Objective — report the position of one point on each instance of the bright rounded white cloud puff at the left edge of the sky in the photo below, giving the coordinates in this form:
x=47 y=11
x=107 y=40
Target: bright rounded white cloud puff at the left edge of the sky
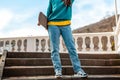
x=5 y=17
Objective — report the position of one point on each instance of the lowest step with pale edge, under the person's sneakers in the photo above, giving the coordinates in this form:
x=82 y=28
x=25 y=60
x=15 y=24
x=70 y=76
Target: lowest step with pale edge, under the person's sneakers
x=66 y=77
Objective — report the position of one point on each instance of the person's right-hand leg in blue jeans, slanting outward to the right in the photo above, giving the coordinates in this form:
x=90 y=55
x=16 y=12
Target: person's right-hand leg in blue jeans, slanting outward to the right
x=69 y=42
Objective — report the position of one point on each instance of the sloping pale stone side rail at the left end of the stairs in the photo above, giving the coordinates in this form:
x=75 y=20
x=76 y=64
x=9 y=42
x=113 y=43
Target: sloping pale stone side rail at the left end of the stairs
x=2 y=63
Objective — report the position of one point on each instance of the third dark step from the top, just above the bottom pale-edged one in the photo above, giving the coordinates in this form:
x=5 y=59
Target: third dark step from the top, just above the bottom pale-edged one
x=48 y=70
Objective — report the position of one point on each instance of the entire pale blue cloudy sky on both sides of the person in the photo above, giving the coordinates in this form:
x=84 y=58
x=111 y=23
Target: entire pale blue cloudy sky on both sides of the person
x=18 y=18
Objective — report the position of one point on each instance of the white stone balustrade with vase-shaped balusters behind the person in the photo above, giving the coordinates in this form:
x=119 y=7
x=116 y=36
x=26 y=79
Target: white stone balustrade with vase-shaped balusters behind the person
x=85 y=43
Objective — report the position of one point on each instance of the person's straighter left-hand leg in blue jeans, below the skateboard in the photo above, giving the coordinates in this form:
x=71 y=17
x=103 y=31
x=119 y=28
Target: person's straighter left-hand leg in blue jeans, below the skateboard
x=54 y=35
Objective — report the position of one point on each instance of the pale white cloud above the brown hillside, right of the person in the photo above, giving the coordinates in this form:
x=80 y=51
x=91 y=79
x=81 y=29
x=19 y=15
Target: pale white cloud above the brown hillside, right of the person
x=84 y=17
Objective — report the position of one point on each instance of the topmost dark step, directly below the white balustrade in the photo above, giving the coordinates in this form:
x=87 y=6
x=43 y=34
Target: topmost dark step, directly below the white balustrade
x=63 y=55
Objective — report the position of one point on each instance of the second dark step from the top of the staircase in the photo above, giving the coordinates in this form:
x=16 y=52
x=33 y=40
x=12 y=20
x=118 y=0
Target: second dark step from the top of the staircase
x=65 y=61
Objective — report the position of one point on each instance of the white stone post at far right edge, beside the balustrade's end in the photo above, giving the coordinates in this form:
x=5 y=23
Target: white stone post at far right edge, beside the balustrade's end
x=117 y=34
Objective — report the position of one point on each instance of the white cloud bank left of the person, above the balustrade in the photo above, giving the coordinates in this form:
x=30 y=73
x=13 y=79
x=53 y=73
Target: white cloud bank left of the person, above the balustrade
x=19 y=26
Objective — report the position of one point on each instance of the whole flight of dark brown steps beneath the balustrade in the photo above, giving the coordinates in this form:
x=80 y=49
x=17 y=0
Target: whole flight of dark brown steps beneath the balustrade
x=38 y=66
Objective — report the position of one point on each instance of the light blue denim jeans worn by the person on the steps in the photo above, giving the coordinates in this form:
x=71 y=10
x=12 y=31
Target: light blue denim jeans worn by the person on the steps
x=54 y=34
